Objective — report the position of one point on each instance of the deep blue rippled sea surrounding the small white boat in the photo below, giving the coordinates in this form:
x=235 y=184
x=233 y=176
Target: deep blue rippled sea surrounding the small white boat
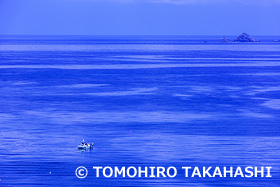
x=143 y=101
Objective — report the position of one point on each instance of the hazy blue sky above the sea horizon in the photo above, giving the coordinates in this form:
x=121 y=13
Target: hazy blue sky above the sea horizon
x=140 y=17
